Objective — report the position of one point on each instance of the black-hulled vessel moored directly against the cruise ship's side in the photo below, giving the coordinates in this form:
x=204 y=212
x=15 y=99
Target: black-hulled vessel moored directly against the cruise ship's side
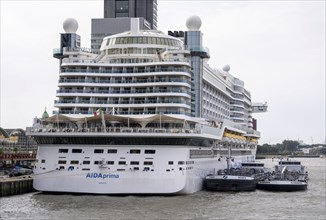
x=225 y=181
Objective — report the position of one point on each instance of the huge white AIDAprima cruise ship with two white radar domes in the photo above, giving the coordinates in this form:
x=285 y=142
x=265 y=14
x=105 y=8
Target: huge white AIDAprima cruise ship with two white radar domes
x=145 y=114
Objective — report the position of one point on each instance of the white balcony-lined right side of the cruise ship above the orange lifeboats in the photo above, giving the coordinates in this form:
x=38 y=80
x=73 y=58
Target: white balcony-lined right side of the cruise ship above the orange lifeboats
x=233 y=103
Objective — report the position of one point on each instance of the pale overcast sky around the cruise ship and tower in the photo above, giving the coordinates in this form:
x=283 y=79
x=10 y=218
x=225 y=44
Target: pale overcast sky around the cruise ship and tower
x=276 y=47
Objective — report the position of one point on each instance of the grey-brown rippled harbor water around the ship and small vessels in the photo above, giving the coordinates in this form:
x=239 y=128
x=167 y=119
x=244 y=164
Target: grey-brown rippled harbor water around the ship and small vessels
x=309 y=204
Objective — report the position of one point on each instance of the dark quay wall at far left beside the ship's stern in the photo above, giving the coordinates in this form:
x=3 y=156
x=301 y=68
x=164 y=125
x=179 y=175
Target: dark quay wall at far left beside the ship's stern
x=16 y=185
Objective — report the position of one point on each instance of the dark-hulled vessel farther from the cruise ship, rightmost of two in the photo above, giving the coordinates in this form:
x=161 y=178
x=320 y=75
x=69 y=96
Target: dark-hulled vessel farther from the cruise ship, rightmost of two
x=288 y=176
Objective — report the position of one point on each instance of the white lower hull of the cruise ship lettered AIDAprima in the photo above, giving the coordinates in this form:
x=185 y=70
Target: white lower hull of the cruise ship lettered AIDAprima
x=184 y=176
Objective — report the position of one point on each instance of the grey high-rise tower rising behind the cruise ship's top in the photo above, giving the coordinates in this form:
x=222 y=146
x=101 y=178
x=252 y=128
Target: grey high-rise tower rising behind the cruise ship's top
x=117 y=14
